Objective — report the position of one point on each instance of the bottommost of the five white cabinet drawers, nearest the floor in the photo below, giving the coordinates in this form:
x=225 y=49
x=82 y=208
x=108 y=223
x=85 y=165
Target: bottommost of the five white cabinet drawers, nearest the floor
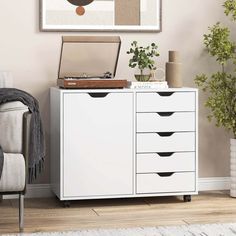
x=175 y=182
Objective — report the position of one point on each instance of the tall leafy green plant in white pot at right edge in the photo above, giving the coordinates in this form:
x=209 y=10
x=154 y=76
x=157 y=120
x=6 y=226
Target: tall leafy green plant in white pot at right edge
x=221 y=85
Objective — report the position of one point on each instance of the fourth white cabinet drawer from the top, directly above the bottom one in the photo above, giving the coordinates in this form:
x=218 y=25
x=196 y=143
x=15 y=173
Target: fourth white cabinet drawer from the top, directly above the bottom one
x=165 y=162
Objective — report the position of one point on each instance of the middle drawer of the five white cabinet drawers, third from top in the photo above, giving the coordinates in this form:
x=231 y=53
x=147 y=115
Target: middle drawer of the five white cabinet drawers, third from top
x=166 y=142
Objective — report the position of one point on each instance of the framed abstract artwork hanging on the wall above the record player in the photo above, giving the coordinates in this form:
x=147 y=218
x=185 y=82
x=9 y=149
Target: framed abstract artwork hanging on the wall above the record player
x=100 y=15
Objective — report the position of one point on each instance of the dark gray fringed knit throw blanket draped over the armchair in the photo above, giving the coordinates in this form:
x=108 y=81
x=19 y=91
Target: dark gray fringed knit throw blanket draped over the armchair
x=36 y=145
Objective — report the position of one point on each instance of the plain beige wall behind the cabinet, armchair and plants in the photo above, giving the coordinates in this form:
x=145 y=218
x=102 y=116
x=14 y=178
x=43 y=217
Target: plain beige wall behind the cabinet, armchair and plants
x=33 y=58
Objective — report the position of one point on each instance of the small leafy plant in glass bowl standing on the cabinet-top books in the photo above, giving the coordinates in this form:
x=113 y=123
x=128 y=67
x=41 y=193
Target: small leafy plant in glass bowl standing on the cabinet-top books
x=143 y=58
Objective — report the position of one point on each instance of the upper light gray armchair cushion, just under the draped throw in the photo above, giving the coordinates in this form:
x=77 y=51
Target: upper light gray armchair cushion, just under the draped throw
x=11 y=126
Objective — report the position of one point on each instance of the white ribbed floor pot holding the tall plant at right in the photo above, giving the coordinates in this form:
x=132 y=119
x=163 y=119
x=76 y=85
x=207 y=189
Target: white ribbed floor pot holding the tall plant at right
x=233 y=167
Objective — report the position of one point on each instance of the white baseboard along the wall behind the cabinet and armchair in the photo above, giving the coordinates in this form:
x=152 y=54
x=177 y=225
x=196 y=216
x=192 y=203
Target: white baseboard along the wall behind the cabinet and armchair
x=204 y=184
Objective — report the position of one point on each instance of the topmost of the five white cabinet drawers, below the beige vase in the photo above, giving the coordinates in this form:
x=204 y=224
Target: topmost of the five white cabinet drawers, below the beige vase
x=166 y=101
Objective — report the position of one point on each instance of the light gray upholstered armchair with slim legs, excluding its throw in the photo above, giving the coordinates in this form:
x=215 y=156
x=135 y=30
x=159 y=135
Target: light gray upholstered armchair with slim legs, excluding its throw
x=14 y=139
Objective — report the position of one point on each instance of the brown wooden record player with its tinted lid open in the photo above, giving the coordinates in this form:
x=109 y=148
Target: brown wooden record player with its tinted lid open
x=89 y=62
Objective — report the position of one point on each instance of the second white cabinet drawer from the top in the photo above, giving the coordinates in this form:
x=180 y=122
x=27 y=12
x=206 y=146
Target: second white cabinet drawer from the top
x=165 y=121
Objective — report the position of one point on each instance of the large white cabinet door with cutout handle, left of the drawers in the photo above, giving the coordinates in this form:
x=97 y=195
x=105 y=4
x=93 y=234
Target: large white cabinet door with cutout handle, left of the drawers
x=98 y=144
